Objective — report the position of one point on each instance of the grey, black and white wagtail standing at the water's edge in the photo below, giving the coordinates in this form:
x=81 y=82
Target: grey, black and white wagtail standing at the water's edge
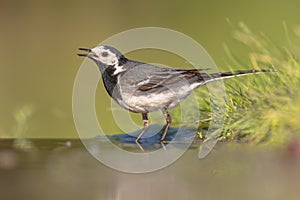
x=142 y=88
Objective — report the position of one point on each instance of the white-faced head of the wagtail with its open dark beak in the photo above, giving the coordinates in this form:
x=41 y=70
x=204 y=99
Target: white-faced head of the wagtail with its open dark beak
x=105 y=55
